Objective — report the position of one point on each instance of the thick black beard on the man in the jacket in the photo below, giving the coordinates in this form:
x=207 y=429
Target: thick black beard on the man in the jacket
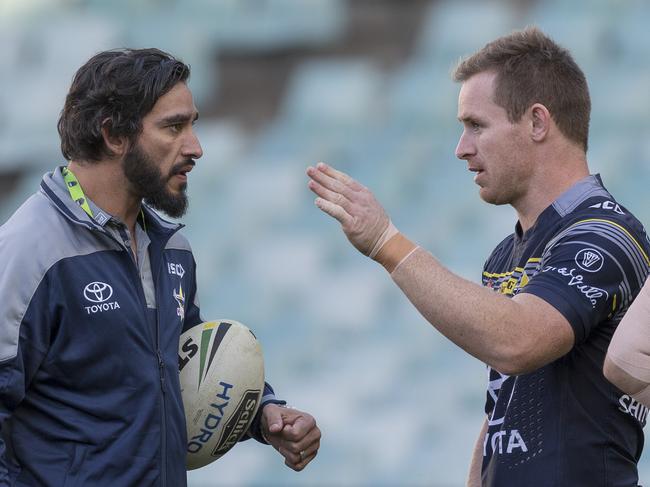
x=148 y=182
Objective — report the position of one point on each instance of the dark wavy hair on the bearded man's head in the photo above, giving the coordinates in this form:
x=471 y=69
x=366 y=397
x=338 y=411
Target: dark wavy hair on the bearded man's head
x=114 y=89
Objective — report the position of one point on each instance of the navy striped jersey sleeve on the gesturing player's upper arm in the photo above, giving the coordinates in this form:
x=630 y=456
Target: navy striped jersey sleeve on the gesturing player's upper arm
x=589 y=272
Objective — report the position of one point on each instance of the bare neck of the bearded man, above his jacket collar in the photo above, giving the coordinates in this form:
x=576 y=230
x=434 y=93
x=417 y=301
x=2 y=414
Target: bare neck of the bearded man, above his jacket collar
x=104 y=183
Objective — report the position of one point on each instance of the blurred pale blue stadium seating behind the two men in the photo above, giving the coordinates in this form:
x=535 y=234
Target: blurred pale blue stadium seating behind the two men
x=365 y=86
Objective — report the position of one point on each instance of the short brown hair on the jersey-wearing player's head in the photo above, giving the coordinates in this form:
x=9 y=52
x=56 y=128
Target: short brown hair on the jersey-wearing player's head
x=532 y=68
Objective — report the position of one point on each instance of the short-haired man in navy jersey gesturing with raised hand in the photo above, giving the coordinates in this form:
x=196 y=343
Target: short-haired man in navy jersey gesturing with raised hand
x=553 y=292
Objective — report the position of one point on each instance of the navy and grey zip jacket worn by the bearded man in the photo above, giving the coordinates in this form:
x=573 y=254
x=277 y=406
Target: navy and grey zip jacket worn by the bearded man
x=89 y=382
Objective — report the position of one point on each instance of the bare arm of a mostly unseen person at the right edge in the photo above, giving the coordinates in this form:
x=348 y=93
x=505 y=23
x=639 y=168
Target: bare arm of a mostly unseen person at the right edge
x=627 y=364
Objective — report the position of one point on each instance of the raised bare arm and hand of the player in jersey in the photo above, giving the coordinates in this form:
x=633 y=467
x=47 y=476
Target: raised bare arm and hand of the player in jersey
x=513 y=336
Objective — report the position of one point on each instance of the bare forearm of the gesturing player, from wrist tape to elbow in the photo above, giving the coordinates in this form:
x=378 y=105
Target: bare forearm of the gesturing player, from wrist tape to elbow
x=493 y=328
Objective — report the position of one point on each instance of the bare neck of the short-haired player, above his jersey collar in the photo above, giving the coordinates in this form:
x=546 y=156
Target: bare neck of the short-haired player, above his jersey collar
x=547 y=185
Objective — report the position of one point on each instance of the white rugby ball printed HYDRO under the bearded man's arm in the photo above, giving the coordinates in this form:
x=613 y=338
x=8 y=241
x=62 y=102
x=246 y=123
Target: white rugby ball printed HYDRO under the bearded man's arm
x=222 y=381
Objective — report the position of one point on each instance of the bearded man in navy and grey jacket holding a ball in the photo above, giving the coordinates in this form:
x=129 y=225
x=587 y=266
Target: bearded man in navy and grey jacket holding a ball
x=90 y=395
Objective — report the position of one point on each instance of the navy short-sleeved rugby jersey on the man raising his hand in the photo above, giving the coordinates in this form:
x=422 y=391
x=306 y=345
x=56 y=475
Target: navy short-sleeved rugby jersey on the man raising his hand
x=565 y=424
